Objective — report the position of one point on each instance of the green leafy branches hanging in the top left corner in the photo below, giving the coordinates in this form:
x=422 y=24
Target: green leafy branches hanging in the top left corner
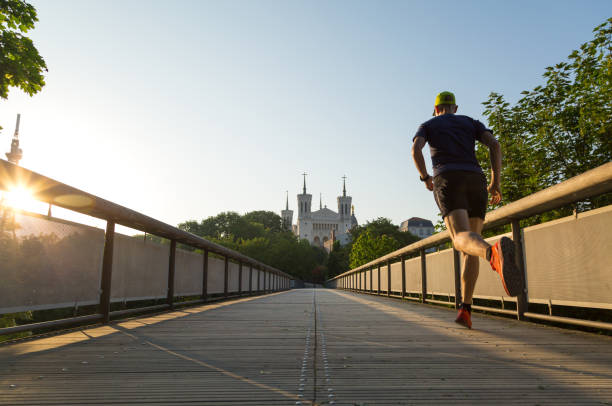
x=20 y=63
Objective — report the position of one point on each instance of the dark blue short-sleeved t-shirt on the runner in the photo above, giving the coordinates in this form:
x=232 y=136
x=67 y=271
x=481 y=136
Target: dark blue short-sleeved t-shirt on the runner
x=452 y=140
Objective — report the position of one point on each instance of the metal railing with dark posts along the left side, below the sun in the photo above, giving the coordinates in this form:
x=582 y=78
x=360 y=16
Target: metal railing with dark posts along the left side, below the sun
x=58 y=194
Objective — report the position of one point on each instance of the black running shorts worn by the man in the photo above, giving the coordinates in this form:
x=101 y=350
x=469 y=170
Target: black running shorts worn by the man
x=461 y=190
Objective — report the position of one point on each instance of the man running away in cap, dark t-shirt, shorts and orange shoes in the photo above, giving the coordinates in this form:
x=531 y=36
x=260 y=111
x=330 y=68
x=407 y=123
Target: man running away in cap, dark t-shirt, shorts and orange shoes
x=460 y=190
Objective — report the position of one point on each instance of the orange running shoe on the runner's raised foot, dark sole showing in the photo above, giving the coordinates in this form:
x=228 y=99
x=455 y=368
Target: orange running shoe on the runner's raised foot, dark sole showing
x=503 y=262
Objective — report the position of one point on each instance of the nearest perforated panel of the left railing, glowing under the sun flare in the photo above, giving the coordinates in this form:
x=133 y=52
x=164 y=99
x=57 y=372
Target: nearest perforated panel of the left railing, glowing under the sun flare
x=47 y=263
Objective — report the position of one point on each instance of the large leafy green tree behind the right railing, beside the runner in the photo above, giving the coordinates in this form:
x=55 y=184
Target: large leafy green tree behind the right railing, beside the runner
x=560 y=129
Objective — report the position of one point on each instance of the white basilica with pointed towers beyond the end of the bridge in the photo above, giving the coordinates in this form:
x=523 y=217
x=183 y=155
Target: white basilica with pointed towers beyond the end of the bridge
x=323 y=226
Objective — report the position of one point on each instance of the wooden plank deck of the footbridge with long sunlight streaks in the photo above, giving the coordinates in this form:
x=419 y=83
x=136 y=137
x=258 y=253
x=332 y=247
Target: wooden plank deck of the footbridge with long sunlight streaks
x=309 y=347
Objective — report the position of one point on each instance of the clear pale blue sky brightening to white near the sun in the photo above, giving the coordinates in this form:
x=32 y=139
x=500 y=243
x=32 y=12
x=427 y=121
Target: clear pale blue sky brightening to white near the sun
x=183 y=109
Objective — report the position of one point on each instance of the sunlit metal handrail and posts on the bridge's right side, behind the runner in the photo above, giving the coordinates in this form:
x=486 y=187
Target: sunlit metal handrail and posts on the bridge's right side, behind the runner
x=590 y=184
